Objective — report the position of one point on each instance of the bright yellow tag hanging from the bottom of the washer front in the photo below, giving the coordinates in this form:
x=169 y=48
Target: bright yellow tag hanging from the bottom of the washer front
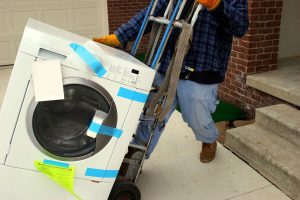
x=62 y=176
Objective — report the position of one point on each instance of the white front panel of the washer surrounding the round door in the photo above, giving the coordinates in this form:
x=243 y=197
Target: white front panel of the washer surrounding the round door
x=23 y=151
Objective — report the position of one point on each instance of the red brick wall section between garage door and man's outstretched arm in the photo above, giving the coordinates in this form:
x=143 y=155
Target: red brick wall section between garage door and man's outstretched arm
x=120 y=11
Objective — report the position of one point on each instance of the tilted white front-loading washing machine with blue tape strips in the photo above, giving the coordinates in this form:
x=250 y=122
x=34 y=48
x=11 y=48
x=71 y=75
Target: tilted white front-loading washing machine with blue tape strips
x=55 y=131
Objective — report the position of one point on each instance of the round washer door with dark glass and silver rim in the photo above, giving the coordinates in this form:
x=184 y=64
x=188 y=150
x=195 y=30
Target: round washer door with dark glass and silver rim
x=59 y=127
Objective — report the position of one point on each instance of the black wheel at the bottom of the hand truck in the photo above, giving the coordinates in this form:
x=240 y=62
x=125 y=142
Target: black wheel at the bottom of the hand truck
x=125 y=191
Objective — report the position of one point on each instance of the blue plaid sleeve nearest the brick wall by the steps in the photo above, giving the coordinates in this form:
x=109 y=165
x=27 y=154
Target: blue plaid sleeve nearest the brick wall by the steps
x=232 y=15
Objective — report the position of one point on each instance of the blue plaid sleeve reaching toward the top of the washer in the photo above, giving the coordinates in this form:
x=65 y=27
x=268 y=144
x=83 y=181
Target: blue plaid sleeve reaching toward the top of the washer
x=129 y=31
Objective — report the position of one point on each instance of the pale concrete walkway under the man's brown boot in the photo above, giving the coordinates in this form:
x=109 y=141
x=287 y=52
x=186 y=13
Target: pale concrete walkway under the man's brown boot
x=174 y=171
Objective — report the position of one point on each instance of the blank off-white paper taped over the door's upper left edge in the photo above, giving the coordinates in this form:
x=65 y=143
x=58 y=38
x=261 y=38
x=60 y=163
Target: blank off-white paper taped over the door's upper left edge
x=47 y=80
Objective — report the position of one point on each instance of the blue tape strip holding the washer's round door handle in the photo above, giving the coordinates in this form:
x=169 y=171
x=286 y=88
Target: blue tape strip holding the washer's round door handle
x=105 y=130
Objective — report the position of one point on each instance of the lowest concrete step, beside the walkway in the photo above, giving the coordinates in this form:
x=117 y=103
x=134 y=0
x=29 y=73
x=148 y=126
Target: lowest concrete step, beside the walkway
x=274 y=157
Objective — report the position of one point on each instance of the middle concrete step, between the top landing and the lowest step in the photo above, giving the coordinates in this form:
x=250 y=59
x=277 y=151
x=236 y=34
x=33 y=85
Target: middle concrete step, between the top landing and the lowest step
x=281 y=119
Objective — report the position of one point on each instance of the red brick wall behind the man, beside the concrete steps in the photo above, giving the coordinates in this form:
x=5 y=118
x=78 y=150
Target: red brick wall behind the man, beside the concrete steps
x=256 y=52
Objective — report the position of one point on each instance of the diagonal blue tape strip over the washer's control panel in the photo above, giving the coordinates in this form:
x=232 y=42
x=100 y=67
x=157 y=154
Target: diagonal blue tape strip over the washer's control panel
x=90 y=60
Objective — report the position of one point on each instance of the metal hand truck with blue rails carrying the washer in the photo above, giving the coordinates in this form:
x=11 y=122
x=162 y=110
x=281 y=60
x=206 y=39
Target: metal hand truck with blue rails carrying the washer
x=125 y=185
